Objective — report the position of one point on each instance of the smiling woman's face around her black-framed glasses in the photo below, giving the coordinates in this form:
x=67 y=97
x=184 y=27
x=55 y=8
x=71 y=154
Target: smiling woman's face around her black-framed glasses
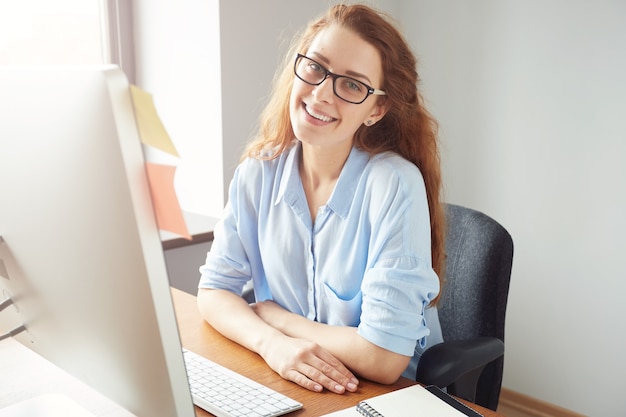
x=320 y=118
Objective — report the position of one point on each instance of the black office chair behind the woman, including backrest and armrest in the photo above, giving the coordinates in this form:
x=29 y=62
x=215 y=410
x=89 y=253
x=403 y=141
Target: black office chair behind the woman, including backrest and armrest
x=479 y=257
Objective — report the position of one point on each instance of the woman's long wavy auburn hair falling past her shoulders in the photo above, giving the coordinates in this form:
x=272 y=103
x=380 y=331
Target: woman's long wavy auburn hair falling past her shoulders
x=407 y=128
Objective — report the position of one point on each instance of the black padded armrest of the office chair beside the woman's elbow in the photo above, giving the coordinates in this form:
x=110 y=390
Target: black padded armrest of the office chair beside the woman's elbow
x=445 y=363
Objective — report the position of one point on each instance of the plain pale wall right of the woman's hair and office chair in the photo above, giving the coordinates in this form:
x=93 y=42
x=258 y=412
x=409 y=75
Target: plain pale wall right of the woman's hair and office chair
x=531 y=97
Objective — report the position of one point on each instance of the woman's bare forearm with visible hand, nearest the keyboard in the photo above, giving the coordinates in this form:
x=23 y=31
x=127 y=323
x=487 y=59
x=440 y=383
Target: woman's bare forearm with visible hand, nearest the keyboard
x=295 y=359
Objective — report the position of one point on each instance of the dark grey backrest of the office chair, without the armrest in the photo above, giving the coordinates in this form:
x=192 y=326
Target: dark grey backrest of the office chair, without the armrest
x=479 y=257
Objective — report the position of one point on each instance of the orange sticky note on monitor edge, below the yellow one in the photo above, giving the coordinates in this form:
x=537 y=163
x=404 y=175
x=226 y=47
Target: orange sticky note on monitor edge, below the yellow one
x=167 y=210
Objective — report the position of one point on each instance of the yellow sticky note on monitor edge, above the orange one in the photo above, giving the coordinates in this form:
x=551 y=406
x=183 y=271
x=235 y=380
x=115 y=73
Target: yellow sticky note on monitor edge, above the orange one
x=151 y=129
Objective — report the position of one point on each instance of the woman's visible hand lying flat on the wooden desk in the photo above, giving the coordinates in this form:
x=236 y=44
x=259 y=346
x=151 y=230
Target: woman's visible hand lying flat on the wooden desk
x=308 y=365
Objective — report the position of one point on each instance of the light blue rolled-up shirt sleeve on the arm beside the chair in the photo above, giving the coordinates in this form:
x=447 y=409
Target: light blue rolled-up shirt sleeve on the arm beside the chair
x=399 y=282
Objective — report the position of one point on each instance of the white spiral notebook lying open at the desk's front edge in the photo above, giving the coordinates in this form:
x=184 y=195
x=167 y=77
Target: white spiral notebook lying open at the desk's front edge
x=409 y=402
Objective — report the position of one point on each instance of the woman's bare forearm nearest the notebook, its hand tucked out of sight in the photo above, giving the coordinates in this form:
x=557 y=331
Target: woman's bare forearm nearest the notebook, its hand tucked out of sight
x=363 y=357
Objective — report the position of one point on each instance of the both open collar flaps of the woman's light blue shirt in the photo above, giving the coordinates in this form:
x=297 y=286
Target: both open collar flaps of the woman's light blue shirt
x=341 y=199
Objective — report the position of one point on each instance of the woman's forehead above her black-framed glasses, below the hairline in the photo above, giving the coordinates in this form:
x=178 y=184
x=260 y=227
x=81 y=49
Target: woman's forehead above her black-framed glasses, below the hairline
x=343 y=51
